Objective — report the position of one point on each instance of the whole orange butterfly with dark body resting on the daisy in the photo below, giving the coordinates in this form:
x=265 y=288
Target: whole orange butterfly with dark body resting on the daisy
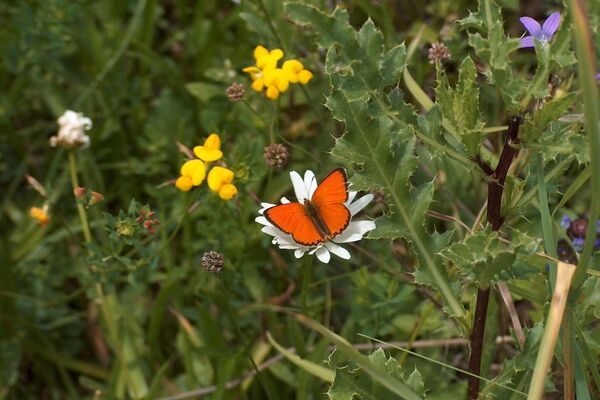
x=318 y=219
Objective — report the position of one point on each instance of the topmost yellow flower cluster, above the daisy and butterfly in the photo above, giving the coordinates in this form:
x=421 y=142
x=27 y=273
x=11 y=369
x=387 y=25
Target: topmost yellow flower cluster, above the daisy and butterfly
x=274 y=80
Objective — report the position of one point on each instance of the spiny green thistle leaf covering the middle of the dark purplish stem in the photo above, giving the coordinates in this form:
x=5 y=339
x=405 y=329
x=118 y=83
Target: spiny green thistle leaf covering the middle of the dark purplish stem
x=484 y=259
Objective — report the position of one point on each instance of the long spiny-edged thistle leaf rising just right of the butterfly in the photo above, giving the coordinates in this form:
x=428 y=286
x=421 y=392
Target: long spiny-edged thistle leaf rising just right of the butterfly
x=379 y=142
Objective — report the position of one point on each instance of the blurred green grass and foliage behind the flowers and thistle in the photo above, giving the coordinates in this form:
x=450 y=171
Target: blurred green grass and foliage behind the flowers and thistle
x=152 y=73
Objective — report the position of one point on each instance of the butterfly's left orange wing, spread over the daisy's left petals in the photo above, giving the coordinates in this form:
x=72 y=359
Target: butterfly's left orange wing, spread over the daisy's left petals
x=292 y=218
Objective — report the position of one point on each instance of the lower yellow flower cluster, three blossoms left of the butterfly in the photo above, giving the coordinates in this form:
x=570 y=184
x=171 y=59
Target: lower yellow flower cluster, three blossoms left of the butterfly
x=193 y=172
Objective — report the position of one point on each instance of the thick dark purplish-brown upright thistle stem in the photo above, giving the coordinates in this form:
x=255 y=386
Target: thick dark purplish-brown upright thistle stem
x=494 y=216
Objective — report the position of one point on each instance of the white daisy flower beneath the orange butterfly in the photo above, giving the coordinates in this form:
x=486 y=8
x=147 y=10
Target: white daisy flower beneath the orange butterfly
x=304 y=190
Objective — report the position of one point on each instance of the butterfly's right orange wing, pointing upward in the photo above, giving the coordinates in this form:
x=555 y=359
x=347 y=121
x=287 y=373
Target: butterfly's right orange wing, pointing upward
x=329 y=199
